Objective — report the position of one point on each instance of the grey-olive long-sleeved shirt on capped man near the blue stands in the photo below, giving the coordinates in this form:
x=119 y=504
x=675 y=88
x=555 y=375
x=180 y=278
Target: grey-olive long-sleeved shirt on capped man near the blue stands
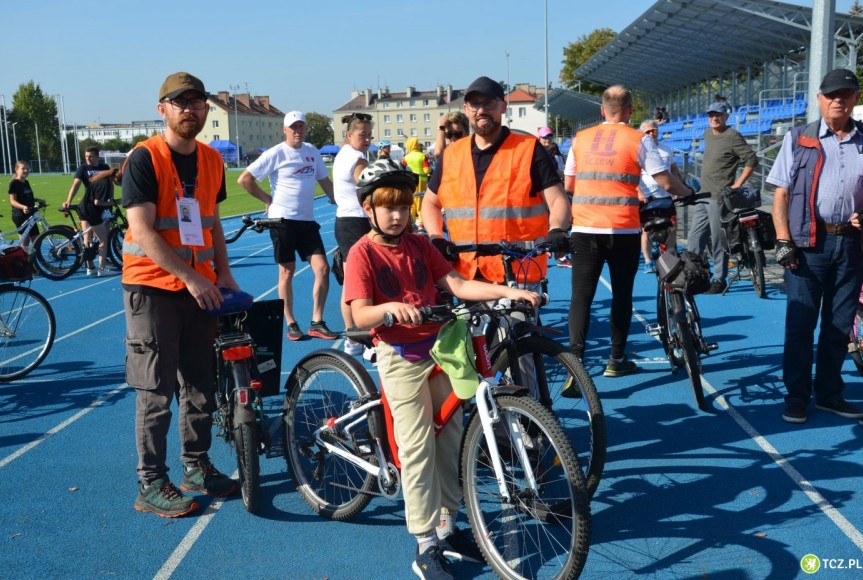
x=723 y=154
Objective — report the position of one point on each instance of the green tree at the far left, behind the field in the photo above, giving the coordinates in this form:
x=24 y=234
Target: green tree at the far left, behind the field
x=31 y=107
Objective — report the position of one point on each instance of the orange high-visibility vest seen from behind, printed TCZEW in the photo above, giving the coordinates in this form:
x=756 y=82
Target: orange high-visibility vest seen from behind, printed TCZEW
x=605 y=200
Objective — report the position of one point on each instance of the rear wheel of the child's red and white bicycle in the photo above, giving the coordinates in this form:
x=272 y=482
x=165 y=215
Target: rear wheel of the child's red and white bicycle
x=325 y=386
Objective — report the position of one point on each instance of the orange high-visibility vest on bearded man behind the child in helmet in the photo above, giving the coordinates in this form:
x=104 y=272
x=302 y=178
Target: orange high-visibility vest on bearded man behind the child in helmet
x=504 y=208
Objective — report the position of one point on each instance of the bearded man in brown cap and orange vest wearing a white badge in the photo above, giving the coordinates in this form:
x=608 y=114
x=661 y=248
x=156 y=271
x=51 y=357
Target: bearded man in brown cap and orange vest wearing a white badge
x=172 y=274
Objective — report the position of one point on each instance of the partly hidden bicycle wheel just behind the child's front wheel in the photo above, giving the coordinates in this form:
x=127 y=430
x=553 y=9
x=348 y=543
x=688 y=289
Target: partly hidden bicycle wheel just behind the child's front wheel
x=559 y=381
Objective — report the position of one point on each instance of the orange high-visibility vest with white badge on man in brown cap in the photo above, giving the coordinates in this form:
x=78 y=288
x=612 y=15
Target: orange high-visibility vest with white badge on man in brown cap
x=138 y=268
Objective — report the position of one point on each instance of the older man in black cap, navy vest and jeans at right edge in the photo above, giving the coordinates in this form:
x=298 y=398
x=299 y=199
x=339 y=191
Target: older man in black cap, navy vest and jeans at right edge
x=816 y=211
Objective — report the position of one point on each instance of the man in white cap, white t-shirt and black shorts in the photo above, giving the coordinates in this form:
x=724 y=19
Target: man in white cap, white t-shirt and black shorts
x=293 y=168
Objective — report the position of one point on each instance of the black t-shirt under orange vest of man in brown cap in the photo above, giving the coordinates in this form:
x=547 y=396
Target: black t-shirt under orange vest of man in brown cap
x=139 y=177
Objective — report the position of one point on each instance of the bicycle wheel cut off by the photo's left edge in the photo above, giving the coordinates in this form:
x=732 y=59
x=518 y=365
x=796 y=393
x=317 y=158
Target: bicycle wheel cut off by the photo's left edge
x=27 y=329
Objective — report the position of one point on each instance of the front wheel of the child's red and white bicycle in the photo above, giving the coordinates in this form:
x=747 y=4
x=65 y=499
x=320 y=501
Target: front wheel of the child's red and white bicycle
x=542 y=530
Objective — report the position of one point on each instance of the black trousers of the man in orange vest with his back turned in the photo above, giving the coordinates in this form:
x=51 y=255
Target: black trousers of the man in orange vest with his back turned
x=590 y=252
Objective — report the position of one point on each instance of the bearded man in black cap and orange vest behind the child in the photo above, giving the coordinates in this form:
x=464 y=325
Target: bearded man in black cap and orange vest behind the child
x=494 y=186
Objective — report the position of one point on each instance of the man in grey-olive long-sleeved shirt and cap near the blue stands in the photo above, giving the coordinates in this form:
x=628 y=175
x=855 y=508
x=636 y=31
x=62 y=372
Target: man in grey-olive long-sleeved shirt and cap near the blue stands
x=725 y=150
